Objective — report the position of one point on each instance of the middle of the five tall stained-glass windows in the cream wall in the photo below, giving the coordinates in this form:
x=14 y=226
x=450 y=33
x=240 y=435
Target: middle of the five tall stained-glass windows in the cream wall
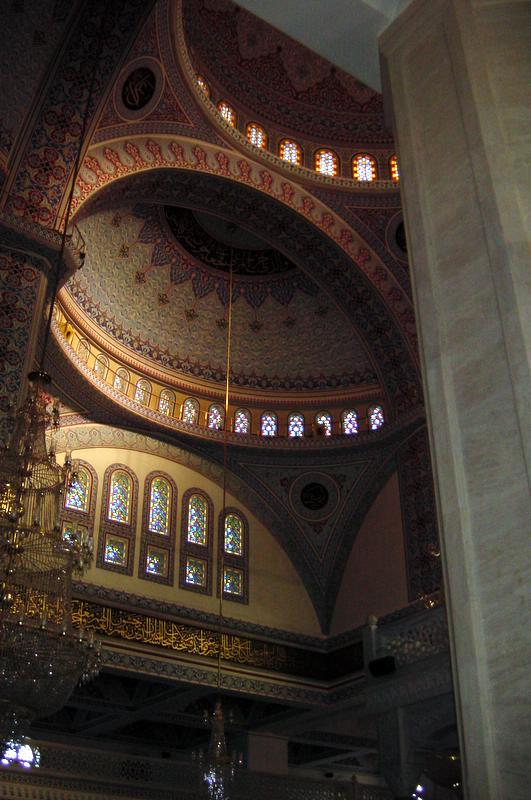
x=158 y=529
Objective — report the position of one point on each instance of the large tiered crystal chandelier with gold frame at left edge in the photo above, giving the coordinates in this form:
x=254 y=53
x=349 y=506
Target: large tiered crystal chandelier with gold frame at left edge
x=41 y=657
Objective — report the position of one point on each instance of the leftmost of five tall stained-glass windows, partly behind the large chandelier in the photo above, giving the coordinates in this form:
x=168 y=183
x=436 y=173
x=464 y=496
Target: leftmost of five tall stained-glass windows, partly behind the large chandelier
x=77 y=517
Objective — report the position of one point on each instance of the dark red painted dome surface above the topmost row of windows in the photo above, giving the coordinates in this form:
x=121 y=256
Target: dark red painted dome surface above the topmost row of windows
x=279 y=79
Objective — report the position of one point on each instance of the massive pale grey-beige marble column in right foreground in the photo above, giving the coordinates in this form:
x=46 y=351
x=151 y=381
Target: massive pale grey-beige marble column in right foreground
x=456 y=76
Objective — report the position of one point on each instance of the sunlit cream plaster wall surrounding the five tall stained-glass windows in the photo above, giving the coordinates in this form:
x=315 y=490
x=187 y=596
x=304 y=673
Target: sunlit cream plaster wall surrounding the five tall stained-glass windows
x=277 y=597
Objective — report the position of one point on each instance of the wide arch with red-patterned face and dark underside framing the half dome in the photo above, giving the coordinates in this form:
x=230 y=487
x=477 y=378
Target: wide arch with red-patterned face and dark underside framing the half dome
x=167 y=170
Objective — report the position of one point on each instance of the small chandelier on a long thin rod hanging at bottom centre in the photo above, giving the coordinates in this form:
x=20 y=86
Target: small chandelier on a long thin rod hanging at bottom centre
x=218 y=767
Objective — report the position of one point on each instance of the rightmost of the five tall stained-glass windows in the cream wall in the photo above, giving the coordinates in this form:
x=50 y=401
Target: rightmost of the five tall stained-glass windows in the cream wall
x=233 y=556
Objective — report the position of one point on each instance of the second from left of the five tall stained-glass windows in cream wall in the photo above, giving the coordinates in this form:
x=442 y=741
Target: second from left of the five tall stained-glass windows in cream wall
x=118 y=520
